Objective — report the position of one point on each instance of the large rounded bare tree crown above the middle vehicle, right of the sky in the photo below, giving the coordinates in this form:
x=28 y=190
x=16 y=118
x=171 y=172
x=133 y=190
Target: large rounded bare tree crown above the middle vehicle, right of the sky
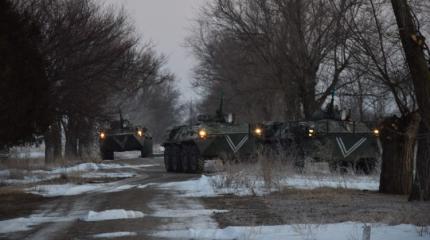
x=273 y=49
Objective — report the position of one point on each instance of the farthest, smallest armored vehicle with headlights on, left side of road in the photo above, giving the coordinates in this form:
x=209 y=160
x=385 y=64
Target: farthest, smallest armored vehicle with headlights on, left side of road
x=121 y=136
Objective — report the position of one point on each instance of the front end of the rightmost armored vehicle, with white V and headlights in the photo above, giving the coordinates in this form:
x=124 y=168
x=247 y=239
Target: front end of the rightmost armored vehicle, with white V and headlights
x=343 y=144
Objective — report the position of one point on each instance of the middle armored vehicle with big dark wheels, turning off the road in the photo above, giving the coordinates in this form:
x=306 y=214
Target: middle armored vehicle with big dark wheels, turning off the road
x=188 y=146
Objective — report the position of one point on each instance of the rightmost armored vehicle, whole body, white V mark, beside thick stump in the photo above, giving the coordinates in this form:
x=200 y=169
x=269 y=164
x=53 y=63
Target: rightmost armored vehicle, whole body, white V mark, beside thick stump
x=330 y=136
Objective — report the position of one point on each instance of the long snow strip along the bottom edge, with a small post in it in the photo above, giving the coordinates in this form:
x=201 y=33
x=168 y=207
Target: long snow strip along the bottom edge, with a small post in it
x=338 y=231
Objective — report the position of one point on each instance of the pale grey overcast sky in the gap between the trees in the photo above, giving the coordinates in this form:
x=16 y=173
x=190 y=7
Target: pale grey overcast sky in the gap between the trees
x=167 y=23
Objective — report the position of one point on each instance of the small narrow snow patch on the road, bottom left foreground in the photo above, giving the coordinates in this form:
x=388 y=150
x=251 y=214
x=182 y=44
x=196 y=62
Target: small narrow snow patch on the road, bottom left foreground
x=112 y=215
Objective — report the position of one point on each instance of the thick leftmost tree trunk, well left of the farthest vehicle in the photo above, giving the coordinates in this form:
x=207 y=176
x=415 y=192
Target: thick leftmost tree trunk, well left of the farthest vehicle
x=53 y=144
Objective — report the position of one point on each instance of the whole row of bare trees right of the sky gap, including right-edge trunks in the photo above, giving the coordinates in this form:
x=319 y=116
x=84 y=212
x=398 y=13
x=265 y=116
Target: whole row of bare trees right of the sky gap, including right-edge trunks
x=282 y=59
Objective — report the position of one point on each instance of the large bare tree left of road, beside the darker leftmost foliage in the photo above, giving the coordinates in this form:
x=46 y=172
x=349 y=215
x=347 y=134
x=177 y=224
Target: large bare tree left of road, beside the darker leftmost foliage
x=93 y=60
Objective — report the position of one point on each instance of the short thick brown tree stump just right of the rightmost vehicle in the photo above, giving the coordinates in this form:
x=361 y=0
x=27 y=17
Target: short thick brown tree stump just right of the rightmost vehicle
x=398 y=137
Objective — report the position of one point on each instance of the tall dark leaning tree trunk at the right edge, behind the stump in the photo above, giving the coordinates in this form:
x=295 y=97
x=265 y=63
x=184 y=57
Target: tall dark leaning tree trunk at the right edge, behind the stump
x=414 y=46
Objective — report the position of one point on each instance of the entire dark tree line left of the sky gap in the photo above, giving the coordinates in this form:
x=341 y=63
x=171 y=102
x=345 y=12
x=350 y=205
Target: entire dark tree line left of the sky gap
x=70 y=65
